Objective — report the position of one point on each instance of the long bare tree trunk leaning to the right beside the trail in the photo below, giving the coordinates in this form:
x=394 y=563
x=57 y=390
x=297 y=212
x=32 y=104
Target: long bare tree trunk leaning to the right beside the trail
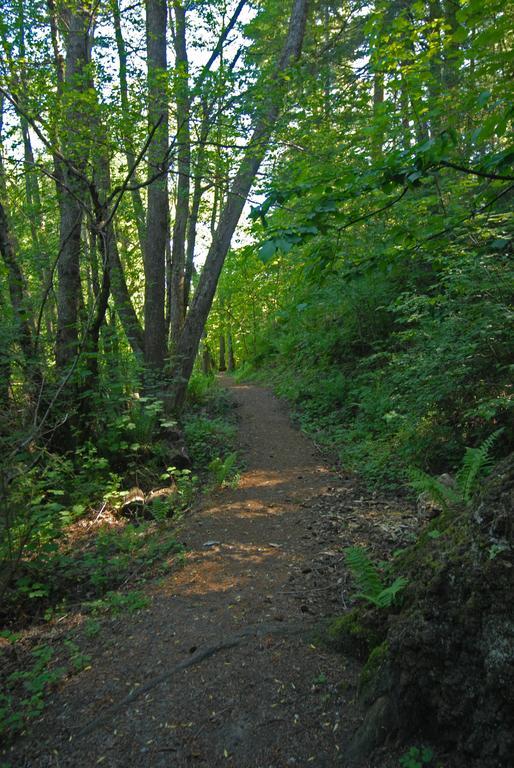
x=187 y=347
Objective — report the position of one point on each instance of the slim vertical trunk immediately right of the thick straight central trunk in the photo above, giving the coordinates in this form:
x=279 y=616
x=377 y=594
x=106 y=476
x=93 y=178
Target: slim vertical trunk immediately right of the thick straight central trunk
x=178 y=254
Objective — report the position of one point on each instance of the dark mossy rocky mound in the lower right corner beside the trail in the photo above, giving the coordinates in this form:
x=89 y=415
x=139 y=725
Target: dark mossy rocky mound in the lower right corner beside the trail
x=444 y=669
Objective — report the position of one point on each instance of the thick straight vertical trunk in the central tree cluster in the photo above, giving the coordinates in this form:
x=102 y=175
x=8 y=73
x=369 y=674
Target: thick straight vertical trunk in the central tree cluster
x=157 y=206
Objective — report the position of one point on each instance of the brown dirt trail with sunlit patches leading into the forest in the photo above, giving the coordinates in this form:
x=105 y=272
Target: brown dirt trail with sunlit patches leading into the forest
x=270 y=701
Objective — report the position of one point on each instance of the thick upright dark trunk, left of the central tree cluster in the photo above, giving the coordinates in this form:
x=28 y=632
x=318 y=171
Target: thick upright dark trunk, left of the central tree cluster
x=71 y=194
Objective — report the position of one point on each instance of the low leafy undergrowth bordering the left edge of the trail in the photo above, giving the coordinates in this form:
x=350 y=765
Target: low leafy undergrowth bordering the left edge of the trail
x=69 y=545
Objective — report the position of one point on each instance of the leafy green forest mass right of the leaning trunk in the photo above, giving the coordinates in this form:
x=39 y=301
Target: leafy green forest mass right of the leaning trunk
x=380 y=300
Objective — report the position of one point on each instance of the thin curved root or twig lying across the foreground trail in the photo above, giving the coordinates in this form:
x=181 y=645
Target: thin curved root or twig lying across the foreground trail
x=196 y=658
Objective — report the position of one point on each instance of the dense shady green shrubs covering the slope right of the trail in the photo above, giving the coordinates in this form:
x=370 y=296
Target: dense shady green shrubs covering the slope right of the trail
x=392 y=369
